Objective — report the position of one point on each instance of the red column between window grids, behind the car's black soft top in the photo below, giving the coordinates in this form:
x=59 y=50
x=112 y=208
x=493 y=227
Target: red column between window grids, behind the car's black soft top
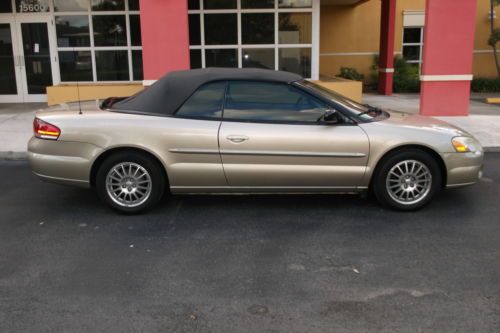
x=165 y=37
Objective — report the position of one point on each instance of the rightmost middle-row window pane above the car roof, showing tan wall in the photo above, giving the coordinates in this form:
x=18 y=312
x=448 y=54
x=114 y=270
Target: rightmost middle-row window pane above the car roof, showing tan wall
x=295 y=28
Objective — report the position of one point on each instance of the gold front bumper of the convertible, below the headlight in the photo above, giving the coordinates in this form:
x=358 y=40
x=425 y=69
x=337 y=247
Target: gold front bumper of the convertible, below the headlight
x=463 y=168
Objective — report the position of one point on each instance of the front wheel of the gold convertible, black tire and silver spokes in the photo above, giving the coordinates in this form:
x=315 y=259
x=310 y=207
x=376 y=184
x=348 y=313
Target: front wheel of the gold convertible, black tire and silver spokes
x=387 y=197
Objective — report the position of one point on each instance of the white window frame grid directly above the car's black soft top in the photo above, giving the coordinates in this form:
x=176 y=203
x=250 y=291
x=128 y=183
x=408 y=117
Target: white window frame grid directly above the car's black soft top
x=314 y=10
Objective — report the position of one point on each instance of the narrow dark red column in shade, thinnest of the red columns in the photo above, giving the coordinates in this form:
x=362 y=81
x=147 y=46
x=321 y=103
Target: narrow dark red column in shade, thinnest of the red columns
x=386 y=53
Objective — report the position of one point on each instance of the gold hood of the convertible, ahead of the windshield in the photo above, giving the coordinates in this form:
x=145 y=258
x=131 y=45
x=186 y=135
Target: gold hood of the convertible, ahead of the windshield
x=413 y=121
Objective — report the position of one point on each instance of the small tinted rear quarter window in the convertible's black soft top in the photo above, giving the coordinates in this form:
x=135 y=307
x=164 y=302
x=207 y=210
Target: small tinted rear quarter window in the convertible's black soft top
x=205 y=103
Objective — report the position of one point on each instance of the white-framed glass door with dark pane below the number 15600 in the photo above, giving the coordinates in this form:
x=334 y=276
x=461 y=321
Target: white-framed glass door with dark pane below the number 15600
x=38 y=62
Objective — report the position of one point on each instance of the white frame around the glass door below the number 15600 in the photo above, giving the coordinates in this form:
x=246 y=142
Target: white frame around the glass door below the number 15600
x=36 y=18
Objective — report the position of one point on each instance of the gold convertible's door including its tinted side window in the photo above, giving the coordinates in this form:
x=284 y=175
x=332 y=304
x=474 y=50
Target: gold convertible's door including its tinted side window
x=272 y=137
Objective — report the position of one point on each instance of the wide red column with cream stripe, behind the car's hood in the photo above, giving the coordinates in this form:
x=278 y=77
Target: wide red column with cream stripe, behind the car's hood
x=447 y=57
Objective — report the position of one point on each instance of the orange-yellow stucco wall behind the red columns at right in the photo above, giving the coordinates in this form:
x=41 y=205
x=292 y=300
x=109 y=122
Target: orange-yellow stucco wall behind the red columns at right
x=356 y=29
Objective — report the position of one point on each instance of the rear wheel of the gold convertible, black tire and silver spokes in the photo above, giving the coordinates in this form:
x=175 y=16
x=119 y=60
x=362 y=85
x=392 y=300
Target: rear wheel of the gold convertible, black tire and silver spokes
x=154 y=172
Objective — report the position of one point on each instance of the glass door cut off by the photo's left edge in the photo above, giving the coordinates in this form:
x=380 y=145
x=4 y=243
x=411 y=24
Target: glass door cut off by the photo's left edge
x=10 y=70
